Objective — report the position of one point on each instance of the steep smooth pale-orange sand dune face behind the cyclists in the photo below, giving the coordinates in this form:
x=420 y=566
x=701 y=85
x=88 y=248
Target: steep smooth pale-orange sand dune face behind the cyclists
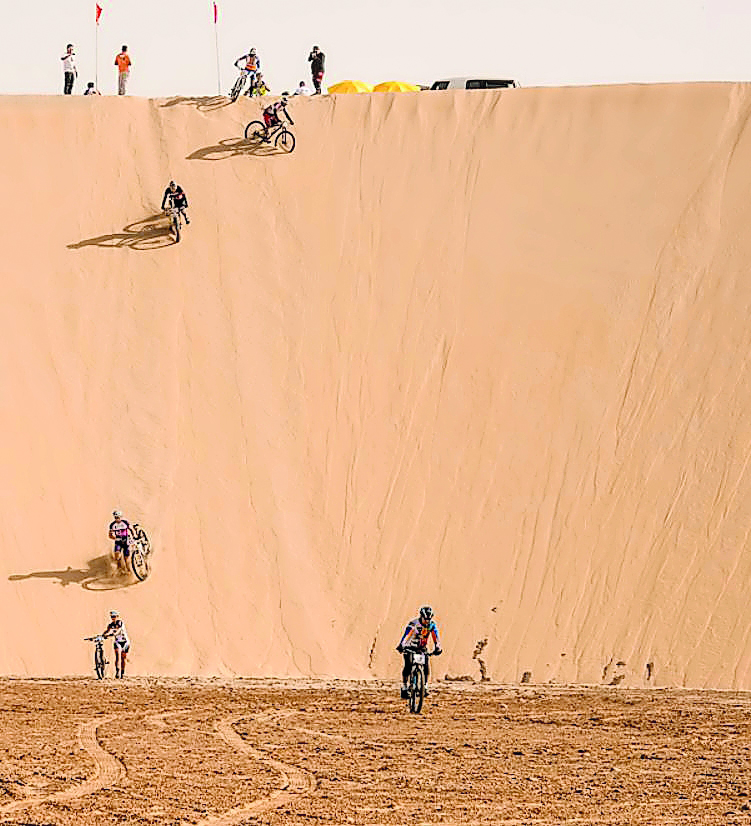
x=486 y=350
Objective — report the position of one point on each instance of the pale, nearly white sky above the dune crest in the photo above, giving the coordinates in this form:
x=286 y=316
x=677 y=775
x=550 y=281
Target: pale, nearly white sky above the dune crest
x=537 y=42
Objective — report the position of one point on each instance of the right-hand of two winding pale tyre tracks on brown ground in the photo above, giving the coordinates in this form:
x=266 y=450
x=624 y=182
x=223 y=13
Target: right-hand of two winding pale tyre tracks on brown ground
x=295 y=782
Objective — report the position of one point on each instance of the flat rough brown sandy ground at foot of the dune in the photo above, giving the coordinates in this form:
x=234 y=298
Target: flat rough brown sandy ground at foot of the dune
x=159 y=751
